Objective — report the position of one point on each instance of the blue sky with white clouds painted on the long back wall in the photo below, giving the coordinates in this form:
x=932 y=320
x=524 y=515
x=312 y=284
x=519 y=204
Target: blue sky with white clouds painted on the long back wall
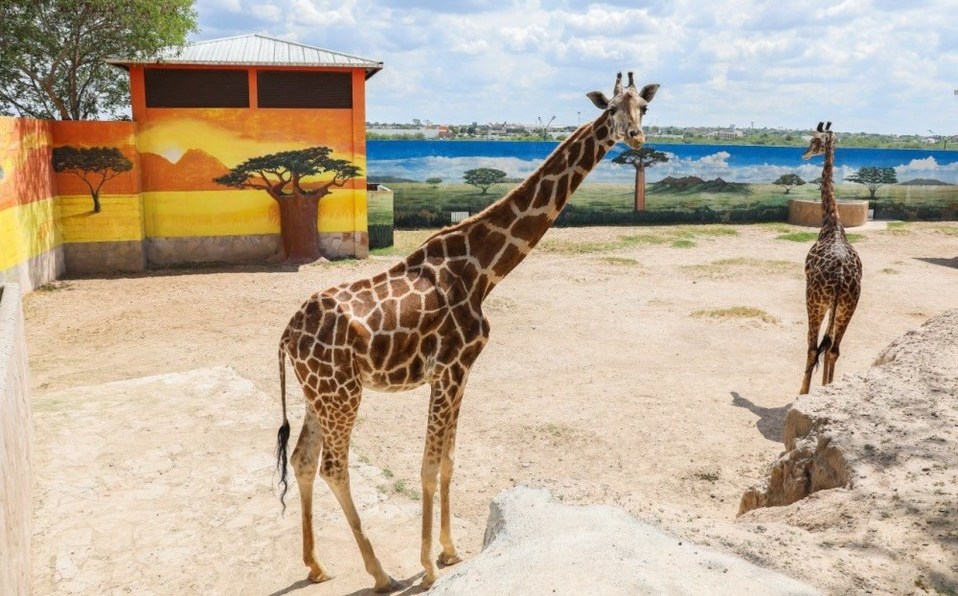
x=418 y=160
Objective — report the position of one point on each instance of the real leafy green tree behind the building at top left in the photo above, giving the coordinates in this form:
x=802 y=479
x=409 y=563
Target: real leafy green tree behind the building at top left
x=52 y=52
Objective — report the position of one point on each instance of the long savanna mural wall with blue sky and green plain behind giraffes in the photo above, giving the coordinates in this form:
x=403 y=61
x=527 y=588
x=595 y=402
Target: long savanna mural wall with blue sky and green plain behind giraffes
x=696 y=184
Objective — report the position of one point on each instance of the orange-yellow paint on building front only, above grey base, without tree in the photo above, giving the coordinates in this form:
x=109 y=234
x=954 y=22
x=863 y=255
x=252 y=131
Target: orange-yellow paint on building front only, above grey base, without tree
x=183 y=149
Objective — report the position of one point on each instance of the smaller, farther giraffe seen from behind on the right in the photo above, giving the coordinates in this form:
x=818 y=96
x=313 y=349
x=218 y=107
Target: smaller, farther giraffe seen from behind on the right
x=833 y=271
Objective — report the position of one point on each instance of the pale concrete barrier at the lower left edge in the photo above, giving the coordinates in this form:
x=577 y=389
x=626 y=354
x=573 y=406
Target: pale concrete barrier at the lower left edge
x=16 y=439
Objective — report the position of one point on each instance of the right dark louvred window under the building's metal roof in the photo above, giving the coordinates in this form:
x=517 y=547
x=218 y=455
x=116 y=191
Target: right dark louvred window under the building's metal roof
x=298 y=89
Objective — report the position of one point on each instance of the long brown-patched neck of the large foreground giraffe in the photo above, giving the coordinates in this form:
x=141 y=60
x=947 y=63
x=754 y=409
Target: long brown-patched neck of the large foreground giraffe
x=498 y=238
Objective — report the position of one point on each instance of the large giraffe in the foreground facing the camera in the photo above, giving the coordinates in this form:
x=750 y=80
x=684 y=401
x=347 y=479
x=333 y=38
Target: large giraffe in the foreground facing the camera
x=421 y=322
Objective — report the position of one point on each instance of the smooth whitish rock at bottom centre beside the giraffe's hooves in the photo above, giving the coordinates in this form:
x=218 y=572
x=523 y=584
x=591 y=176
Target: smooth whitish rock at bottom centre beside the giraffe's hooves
x=536 y=545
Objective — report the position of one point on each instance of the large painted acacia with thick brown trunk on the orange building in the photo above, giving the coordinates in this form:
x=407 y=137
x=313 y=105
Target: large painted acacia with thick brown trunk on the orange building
x=283 y=176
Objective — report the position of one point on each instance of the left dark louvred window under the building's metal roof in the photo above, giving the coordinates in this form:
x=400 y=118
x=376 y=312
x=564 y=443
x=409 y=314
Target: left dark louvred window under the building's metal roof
x=196 y=88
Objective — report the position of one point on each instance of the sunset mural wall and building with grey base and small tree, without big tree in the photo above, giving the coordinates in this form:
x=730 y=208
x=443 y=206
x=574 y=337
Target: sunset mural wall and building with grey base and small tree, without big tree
x=84 y=197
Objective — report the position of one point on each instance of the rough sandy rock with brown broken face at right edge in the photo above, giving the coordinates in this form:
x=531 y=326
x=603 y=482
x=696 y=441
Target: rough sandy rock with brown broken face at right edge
x=904 y=408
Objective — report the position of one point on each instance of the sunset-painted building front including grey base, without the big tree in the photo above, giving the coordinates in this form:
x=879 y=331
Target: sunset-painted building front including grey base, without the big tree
x=189 y=217
